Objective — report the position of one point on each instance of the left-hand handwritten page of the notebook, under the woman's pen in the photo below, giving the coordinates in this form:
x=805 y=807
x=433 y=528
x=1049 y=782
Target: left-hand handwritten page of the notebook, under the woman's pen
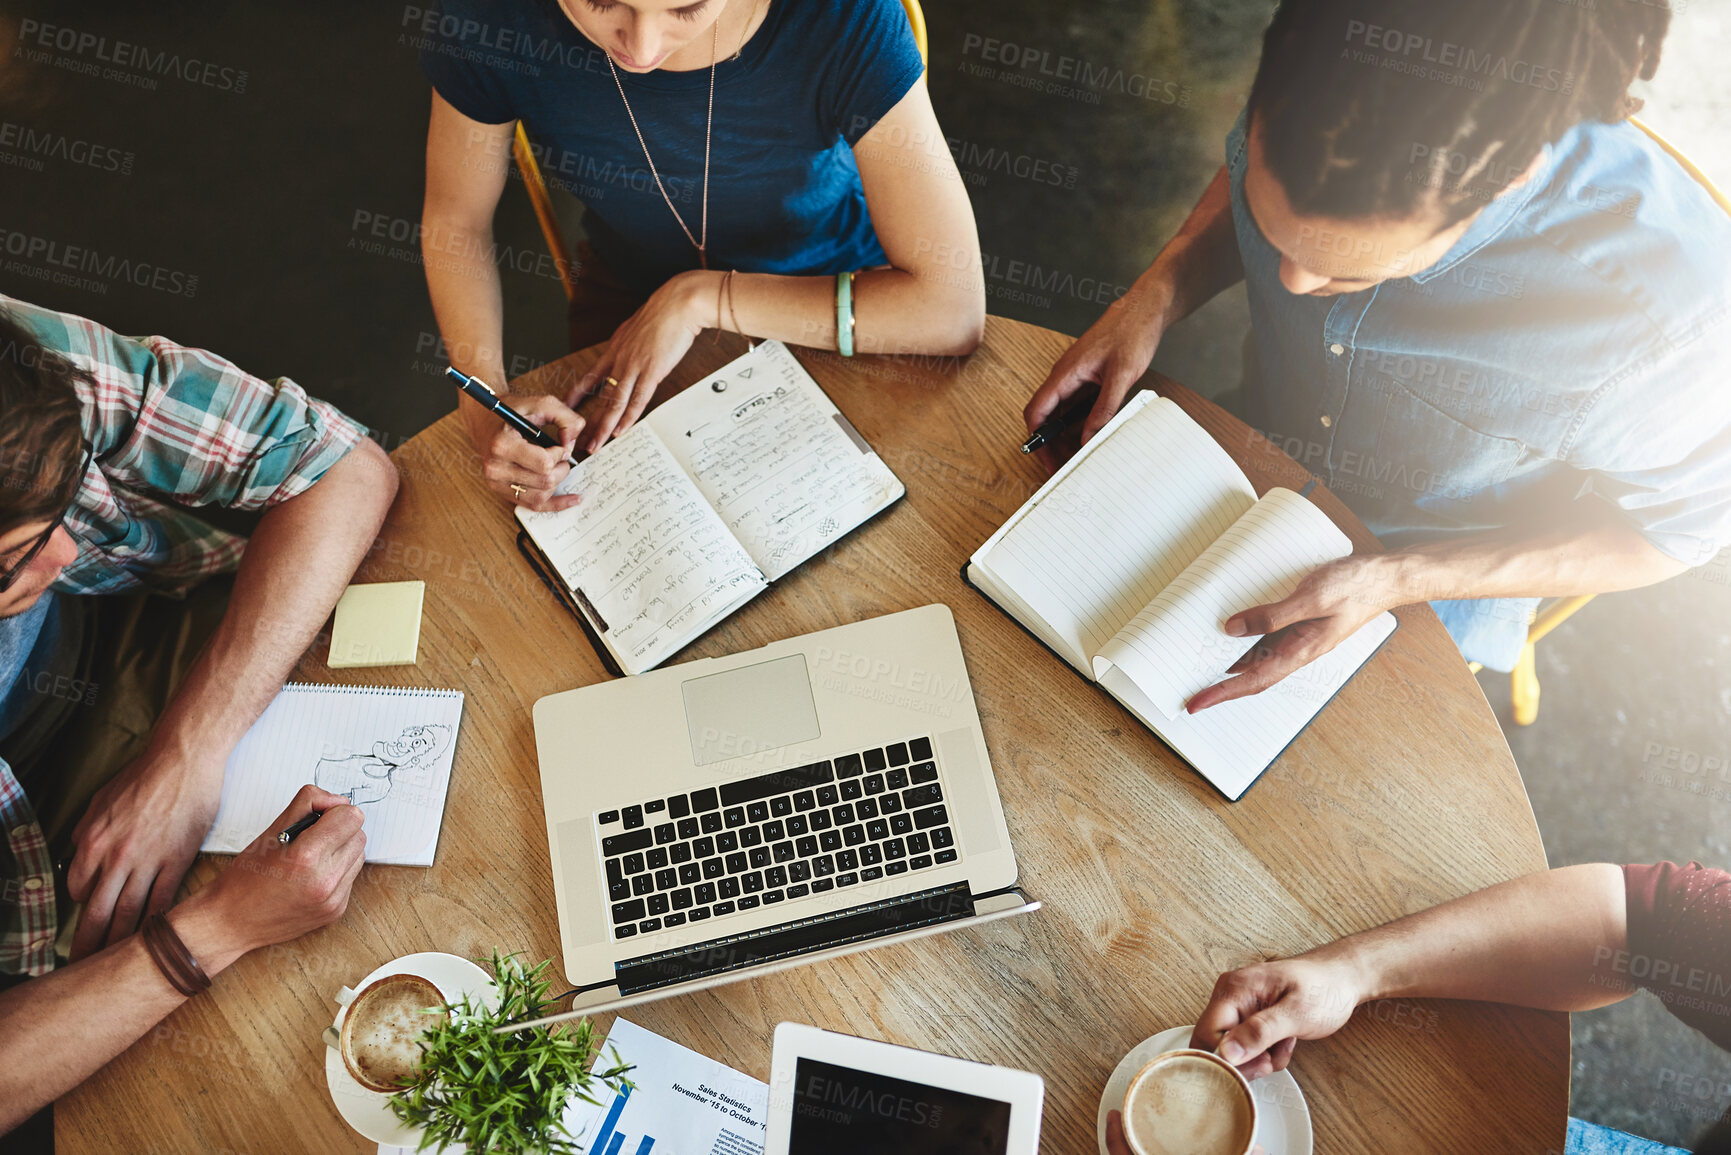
x=645 y=553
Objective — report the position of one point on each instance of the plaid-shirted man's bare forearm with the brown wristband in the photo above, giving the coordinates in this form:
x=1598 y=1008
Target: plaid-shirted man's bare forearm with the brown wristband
x=63 y=1028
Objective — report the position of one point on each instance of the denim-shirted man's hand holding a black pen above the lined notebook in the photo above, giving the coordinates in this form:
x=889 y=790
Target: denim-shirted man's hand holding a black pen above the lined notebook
x=1114 y=356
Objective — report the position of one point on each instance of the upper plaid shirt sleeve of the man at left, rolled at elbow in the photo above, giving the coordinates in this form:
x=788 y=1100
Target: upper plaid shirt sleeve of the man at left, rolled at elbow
x=176 y=429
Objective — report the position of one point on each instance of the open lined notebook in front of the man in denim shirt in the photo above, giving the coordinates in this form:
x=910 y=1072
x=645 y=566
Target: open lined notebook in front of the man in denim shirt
x=1133 y=557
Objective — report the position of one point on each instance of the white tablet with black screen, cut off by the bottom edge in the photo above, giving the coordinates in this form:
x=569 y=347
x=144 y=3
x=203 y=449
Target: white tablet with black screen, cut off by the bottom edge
x=837 y=1095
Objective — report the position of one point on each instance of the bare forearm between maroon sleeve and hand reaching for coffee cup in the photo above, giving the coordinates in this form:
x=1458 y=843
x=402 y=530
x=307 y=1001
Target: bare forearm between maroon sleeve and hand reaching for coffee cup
x=1529 y=943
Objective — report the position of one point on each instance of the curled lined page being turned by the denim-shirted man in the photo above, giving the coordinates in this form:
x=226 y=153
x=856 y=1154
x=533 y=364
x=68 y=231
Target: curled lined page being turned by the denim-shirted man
x=1176 y=647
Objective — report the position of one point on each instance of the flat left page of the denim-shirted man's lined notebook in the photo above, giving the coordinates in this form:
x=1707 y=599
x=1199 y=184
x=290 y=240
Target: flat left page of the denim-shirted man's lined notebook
x=1116 y=526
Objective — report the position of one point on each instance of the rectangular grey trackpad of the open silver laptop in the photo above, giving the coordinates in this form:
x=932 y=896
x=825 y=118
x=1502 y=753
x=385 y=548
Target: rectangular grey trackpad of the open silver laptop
x=752 y=709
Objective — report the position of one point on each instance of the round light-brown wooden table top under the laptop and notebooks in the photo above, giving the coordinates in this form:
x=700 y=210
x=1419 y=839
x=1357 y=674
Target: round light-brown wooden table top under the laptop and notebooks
x=1401 y=796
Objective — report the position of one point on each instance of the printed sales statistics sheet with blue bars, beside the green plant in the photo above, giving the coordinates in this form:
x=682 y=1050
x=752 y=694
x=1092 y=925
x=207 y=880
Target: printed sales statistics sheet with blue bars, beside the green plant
x=683 y=1104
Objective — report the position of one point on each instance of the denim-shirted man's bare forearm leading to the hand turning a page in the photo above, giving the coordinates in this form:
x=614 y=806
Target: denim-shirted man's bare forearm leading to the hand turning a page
x=1514 y=564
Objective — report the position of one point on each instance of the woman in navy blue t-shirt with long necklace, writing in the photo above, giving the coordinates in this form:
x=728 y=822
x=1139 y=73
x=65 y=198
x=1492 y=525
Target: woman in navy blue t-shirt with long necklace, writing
x=792 y=141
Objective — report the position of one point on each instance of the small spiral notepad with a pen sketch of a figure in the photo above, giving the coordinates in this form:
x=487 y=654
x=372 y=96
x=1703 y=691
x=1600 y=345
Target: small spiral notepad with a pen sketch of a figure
x=389 y=751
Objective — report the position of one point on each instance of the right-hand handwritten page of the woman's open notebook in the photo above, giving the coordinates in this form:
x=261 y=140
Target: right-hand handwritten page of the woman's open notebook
x=775 y=458
